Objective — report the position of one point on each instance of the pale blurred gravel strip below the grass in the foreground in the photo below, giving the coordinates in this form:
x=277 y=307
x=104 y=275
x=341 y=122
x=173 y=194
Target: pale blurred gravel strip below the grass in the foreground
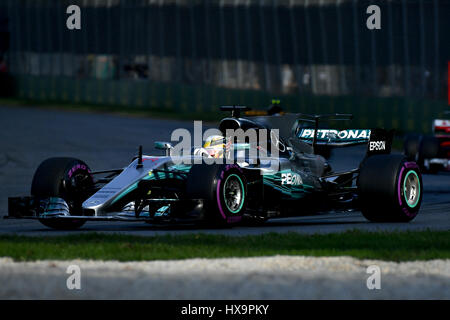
x=277 y=277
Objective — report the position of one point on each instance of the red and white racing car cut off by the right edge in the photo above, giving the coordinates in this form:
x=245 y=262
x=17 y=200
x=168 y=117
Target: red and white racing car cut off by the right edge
x=431 y=152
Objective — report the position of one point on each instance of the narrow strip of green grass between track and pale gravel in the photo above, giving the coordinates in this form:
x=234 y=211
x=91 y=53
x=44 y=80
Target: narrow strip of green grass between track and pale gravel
x=392 y=246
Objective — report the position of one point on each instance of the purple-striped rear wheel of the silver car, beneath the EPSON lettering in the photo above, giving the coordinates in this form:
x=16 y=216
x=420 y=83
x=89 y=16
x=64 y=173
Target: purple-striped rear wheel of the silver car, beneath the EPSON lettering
x=390 y=188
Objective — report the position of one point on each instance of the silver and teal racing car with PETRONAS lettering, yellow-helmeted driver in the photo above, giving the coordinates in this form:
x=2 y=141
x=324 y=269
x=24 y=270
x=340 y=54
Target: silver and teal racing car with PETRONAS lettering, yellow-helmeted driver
x=191 y=188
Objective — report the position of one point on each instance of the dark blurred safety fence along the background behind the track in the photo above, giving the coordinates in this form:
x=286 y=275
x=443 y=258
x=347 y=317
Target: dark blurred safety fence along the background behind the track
x=180 y=55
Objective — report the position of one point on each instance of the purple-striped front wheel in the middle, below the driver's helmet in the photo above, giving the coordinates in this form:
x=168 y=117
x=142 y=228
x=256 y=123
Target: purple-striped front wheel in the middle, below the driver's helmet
x=224 y=190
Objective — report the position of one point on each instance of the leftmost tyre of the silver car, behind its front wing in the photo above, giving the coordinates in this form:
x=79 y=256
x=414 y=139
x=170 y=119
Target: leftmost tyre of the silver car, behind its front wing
x=66 y=178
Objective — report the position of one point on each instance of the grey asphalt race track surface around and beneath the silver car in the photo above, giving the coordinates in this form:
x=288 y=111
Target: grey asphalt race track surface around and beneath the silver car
x=30 y=135
